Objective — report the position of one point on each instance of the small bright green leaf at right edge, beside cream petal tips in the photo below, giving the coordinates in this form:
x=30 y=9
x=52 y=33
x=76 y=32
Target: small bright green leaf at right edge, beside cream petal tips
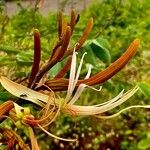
x=145 y=89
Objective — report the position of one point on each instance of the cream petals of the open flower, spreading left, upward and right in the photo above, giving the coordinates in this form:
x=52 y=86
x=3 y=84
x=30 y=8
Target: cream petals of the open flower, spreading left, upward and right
x=67 y=105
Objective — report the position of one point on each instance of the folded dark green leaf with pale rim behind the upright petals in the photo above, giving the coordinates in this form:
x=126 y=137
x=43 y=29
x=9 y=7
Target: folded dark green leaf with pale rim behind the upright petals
x=101 y=48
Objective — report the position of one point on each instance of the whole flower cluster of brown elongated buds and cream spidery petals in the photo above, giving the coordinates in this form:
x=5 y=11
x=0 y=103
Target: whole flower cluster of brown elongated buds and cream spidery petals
x=50 y=104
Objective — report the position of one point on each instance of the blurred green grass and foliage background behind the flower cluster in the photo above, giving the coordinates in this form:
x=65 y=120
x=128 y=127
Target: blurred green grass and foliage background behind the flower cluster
x=116 y=24
